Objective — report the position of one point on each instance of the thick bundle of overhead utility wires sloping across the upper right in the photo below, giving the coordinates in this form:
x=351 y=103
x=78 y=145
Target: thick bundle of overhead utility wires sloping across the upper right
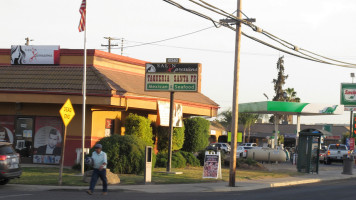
x=291 y=49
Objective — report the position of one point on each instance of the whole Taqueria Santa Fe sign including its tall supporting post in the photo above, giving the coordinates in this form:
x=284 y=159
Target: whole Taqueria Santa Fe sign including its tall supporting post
x=172 y=76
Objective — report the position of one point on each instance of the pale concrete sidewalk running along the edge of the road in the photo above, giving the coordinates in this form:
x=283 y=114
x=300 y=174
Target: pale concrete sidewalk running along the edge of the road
x=206 y=187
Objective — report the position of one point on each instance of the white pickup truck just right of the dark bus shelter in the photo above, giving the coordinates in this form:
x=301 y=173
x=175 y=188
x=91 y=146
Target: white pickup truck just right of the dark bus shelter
x=336 y=152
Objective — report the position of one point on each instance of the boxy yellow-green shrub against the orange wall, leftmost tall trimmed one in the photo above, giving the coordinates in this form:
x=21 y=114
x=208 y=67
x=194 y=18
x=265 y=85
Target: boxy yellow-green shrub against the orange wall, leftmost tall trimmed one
x=140 y=127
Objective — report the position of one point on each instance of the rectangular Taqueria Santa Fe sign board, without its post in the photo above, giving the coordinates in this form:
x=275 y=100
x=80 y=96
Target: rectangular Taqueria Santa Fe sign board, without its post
x=172 y=77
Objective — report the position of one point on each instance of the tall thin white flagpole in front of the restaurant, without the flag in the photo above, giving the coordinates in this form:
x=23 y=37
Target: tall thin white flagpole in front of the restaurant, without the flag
x=84 y=91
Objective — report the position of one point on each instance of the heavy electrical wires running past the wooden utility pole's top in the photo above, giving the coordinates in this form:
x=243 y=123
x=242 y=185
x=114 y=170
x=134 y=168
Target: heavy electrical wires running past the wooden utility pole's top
x=257 y=29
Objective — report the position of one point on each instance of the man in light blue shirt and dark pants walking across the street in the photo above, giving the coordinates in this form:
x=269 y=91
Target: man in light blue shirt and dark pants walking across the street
x=100 y=161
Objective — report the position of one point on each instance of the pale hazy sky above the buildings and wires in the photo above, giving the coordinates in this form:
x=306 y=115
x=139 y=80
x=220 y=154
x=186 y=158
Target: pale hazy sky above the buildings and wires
x=326 y=27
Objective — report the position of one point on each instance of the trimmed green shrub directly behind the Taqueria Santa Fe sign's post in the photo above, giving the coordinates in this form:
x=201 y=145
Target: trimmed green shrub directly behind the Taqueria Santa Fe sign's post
x=163 y=138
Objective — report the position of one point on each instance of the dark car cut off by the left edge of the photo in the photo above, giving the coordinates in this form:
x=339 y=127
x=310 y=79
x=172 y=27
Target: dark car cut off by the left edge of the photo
x=9 y=163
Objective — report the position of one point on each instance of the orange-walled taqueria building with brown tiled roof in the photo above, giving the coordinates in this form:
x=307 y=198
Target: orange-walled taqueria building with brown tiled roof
x=35 y=81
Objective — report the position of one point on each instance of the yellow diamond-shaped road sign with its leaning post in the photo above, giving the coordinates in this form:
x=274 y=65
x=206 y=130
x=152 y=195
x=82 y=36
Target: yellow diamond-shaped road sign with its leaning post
x=67 y=114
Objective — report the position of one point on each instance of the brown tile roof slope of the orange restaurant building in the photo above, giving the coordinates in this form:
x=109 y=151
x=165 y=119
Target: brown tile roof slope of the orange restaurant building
x=100 y=81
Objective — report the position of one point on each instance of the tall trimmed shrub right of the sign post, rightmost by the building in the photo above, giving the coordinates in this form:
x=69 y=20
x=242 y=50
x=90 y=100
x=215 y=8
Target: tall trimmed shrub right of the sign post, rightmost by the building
x=196 y=134
